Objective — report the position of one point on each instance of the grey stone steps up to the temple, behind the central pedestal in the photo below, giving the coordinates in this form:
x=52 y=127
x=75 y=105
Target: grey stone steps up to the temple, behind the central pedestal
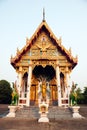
x=55 y=113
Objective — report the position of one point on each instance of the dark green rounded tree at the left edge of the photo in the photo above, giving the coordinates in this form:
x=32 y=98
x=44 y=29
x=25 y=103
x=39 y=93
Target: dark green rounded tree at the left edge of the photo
x=5 y=92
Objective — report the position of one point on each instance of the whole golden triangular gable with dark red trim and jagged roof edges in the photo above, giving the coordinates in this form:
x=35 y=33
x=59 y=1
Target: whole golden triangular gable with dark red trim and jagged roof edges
x=43 y=45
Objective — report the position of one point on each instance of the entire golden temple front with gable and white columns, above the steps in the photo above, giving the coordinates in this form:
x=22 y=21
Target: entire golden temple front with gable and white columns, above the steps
x=43 y=67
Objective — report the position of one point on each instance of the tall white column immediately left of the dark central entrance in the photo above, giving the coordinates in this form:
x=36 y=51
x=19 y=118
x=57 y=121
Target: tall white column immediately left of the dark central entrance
x=29 y=84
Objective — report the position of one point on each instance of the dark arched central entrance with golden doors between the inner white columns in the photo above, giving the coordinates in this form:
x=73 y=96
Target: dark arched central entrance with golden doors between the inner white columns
x=44 y=84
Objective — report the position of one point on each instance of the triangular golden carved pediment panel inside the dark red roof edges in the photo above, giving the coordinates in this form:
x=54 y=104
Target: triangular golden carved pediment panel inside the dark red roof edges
x=43 y=47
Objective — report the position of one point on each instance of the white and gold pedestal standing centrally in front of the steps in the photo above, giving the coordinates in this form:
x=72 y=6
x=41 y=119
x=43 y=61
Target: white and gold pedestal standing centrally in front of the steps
x=43 y=112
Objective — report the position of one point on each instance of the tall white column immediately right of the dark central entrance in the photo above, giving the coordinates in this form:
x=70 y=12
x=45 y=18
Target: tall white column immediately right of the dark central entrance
x=58 y=84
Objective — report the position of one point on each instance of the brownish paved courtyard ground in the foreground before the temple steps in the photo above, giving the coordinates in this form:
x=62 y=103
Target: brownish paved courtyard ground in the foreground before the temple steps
x=26 y=124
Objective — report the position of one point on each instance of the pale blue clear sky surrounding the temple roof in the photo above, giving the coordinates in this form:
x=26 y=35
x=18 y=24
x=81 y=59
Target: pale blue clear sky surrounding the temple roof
x=67 y=19
